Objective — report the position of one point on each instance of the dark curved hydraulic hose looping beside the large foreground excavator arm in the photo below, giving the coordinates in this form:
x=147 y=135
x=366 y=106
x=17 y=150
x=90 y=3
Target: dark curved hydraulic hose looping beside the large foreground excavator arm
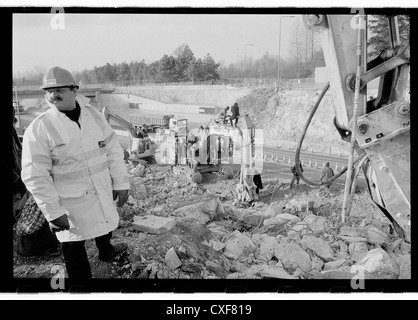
x=305 y=129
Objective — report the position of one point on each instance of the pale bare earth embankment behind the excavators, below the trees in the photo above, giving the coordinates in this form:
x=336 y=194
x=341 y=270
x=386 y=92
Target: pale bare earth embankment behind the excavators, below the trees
x=281 y=114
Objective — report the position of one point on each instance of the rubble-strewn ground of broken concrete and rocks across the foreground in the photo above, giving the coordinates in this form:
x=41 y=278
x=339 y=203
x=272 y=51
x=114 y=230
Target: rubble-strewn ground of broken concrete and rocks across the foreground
x=180 y=225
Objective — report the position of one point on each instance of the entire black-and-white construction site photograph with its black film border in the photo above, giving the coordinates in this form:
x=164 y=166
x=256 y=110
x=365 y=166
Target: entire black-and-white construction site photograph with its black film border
x=263 y=148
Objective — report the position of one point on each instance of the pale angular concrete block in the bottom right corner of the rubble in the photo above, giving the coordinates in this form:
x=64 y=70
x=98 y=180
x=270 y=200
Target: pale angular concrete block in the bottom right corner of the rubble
x=378 y=262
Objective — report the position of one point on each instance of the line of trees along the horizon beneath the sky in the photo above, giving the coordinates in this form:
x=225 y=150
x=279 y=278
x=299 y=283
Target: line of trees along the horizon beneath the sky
x=183 y=66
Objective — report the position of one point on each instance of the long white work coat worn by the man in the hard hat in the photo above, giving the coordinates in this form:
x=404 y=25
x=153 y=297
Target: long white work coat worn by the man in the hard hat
x=71 y=170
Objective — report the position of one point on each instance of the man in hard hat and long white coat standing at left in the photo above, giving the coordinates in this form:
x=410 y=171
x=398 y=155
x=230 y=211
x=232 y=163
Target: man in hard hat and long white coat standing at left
x=72 y=163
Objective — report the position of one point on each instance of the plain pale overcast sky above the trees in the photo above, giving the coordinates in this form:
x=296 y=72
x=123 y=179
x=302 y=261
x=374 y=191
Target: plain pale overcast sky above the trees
x=89 y=40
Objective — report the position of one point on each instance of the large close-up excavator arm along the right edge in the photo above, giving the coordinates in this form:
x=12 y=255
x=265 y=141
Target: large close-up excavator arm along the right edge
x=383 y=123
